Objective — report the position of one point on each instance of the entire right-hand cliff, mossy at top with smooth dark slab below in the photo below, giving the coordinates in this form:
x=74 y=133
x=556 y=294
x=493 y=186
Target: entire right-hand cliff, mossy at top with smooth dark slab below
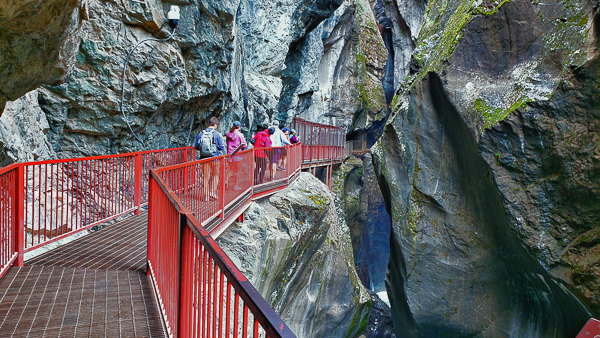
x=488 y=167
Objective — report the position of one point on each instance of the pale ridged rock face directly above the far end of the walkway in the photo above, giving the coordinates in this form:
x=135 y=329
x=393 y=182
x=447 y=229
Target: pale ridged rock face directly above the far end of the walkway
x=334 y=75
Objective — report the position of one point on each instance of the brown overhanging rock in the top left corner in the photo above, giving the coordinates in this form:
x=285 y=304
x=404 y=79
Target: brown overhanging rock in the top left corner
x=38 y=44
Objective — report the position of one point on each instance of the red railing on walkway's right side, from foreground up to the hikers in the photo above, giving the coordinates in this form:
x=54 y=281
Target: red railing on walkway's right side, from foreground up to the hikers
x=201 y=292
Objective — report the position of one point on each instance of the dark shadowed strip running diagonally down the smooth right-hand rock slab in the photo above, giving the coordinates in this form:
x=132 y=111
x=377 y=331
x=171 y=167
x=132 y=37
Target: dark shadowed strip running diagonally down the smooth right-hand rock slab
x=529 y=288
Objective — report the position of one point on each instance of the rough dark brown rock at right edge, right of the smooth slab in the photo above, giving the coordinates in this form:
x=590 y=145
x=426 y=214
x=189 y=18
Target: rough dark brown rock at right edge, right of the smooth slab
x=545 y=160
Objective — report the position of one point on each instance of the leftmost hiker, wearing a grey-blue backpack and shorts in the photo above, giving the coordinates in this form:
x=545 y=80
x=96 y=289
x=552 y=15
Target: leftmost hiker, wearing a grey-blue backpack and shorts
x=210 y=144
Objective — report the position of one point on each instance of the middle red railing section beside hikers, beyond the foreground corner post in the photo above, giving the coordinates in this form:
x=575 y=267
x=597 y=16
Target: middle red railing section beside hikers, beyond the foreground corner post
x=214 y=188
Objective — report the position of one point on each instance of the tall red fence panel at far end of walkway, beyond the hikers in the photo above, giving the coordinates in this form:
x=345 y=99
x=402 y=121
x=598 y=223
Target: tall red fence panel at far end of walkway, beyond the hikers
x=321 y=142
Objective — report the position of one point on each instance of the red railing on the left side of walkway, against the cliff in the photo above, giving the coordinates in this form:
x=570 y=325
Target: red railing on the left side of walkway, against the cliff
x=41 y=202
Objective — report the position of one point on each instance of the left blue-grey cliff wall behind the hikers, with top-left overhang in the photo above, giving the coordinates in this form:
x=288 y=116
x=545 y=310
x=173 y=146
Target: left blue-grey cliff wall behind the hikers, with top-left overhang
x=247 y=60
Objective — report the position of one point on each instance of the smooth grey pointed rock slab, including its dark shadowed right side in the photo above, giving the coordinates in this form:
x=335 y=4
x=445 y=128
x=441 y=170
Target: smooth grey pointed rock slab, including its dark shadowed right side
x=457 y=269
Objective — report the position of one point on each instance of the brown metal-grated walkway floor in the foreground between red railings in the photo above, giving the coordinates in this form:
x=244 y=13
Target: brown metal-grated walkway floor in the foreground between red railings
x=95 y=286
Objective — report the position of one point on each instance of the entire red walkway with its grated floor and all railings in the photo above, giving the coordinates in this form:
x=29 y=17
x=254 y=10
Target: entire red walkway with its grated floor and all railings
x=152 y=273
